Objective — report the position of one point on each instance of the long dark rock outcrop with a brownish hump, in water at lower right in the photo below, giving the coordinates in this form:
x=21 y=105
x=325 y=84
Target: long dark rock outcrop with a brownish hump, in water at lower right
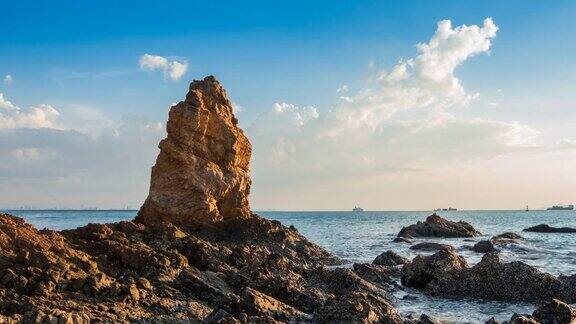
x=447 y=274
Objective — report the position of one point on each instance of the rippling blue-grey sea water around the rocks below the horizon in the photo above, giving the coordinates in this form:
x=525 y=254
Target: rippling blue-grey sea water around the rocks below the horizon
x=361 y=236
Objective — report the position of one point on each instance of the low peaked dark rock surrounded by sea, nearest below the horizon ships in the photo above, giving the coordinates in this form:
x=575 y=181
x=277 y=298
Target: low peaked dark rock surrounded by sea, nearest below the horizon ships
x=436 y=226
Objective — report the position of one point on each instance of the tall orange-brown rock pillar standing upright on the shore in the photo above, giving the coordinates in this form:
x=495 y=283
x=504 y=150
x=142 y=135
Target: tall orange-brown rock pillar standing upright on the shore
x=201 y=173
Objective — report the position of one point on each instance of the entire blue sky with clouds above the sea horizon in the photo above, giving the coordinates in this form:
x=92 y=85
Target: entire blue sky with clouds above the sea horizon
x=404 y=105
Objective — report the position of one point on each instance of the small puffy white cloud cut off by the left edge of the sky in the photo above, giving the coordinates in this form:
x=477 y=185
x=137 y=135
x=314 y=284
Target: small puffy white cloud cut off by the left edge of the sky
x=11 y=116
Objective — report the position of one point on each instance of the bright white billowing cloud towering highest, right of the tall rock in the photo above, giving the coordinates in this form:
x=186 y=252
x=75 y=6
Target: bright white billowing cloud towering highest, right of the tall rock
x=425 y=81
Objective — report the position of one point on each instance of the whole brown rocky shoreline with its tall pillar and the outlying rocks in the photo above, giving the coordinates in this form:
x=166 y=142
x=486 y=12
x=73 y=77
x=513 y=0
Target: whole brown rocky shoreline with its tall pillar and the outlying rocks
x=197 y=254
